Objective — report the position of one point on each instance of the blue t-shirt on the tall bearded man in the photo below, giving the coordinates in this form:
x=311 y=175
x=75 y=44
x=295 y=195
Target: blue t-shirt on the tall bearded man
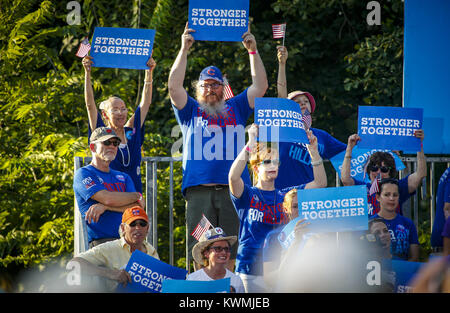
x=210 y=144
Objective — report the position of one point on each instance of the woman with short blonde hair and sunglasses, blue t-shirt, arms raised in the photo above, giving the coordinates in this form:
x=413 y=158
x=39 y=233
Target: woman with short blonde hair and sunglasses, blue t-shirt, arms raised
x=260 y=207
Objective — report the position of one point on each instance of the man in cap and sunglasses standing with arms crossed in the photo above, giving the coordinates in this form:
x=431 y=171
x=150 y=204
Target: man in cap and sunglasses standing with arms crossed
x=102 y=194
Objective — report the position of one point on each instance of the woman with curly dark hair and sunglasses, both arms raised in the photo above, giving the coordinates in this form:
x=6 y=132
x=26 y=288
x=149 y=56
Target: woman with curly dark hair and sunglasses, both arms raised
x=382 y=165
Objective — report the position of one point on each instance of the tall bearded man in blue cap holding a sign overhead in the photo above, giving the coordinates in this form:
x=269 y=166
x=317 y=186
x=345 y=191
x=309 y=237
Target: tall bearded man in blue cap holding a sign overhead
x=213 y=133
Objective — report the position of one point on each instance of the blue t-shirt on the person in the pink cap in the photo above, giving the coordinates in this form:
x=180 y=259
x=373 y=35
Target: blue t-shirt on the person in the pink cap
x=295 y=167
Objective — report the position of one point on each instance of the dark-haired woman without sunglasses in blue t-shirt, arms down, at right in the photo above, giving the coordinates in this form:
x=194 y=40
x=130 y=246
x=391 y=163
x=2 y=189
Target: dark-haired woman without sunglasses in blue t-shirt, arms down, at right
x=404 y=239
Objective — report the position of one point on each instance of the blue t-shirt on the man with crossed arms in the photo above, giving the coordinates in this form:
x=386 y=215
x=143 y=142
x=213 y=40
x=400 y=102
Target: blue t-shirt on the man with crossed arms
x=88 y=181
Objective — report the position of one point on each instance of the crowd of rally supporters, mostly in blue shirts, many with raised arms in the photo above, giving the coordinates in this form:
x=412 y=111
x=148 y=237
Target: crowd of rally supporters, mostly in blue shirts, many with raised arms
x=246 y=217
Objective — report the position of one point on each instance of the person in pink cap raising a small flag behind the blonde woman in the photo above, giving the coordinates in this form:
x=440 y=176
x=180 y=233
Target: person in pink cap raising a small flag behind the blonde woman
x=296 y=167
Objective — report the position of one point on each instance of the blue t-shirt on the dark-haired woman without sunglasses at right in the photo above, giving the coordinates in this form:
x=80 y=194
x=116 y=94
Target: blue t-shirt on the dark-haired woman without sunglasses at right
x=403 y=234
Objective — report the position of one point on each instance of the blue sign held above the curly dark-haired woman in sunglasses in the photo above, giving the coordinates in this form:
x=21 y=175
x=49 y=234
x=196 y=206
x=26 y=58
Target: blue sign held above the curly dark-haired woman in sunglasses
x=389 y=127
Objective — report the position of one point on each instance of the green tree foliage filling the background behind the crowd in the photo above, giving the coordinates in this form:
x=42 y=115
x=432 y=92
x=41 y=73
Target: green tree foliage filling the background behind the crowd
x=333 y=53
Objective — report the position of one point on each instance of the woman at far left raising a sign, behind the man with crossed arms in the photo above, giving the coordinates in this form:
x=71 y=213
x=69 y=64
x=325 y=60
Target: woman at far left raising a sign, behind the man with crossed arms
x=114 y=112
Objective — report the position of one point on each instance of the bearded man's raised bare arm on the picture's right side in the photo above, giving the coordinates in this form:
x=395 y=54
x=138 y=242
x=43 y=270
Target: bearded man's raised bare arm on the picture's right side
x=259 y=78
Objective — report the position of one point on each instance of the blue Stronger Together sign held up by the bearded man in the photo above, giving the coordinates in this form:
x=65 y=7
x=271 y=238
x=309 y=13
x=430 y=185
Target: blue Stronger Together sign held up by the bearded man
x=218 y=20
